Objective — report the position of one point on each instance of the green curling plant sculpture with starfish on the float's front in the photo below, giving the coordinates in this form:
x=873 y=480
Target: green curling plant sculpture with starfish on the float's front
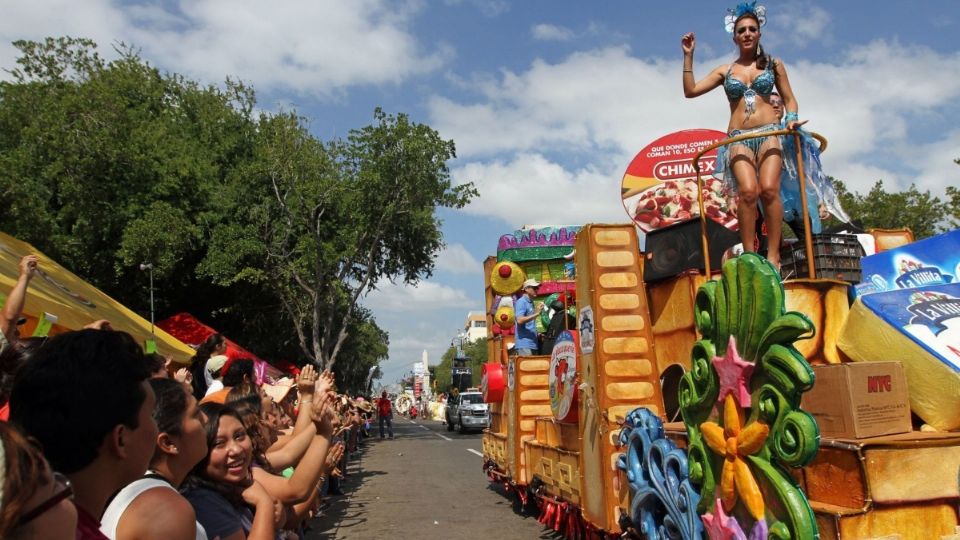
x=741 y=406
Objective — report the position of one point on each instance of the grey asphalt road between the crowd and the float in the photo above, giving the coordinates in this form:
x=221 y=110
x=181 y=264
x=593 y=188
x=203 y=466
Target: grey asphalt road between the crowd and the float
x=426 y=483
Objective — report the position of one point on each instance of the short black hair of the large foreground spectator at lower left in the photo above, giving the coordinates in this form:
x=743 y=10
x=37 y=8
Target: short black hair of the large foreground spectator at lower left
x=76 y=389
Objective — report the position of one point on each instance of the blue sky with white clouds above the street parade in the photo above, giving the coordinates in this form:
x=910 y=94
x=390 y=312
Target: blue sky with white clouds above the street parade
x=547 y=100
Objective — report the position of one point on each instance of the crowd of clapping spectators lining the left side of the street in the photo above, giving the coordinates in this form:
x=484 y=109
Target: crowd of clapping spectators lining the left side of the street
x=106 y=441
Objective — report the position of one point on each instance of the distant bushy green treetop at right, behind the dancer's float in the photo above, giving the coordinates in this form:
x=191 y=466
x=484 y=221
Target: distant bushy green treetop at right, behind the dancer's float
x=920 y=211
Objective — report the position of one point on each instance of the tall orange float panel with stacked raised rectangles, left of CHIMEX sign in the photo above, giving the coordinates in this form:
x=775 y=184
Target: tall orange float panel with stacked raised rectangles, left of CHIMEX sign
x=623 y=335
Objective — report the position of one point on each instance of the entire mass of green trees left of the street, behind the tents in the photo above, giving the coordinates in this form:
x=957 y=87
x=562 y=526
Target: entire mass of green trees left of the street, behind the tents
x=250 y=222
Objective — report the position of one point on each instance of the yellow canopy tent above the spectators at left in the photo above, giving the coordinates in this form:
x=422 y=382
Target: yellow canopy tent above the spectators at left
x=74 y=302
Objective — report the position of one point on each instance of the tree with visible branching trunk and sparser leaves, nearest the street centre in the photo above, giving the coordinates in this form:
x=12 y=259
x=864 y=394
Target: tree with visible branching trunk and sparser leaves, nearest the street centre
x=330 y=221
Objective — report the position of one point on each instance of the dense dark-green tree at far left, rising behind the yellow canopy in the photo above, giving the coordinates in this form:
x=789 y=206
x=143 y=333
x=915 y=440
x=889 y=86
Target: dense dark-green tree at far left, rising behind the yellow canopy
x=105 y=165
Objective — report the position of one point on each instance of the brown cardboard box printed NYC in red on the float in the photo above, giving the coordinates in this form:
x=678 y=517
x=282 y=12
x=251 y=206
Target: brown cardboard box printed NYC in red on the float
x=859 y=400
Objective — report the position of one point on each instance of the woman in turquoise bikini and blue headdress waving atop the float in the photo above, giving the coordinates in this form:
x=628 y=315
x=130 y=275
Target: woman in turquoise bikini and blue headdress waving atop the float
x=749 y=81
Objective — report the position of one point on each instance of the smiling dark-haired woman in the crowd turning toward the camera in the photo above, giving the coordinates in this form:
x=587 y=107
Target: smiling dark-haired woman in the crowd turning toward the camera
x=228 y=503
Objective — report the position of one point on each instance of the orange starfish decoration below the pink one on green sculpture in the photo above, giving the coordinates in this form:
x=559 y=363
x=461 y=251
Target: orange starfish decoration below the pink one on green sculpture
x=733 y=443
